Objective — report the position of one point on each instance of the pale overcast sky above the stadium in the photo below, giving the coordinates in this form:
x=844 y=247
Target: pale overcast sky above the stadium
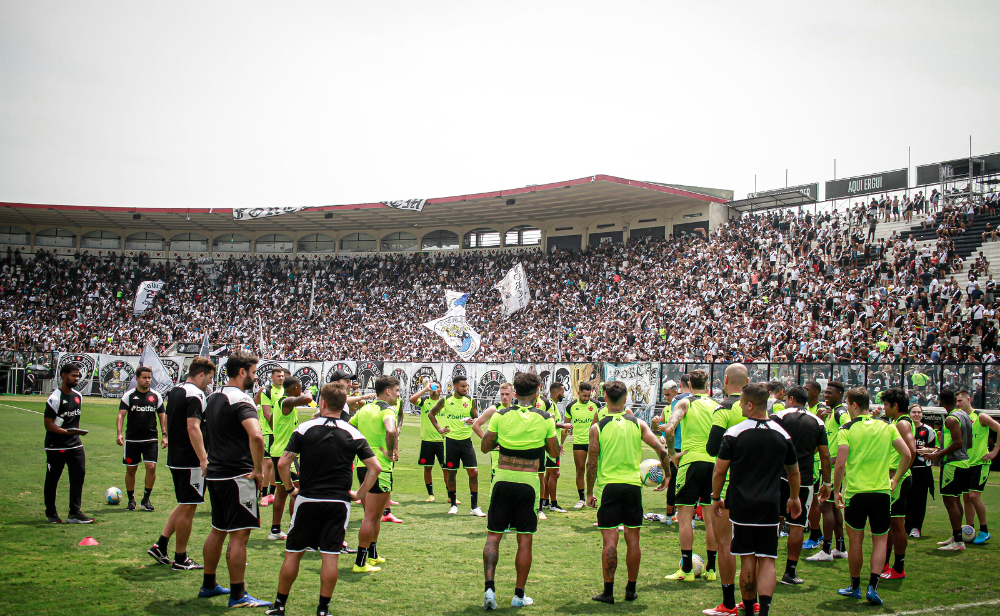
x=200 y=104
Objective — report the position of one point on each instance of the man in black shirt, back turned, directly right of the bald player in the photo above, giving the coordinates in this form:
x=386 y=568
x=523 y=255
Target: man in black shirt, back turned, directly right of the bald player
x=751 y=459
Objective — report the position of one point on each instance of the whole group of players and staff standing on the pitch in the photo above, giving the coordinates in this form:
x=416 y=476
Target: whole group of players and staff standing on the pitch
x=755 y=459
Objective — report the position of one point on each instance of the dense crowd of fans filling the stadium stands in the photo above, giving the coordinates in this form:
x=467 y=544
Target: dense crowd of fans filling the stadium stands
x=782 y=287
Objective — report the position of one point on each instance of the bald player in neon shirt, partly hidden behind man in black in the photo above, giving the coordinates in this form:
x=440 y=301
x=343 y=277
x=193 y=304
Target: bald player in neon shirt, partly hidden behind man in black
x=728 y=414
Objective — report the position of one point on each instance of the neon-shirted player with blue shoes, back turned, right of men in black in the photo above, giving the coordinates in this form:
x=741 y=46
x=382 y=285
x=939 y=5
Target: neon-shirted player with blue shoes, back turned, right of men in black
x=863 y=455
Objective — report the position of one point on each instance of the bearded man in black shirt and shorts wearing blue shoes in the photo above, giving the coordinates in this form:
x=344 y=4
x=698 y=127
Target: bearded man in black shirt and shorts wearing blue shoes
x=235 y=458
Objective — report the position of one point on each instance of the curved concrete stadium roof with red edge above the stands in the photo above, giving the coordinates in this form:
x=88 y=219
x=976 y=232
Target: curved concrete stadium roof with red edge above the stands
x=584 y=197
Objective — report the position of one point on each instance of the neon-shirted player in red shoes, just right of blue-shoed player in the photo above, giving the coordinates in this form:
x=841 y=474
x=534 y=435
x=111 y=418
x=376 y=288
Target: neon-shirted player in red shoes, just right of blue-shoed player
x=894 y=401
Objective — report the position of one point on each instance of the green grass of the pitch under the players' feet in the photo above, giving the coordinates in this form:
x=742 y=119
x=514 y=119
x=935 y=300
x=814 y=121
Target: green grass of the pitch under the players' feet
x=435 y=563
